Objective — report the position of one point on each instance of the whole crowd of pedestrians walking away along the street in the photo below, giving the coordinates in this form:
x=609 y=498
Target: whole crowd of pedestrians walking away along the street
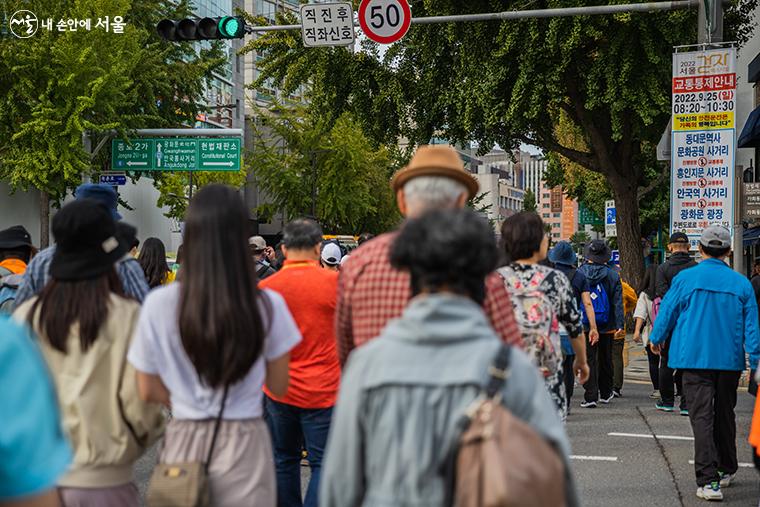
x=375 y=367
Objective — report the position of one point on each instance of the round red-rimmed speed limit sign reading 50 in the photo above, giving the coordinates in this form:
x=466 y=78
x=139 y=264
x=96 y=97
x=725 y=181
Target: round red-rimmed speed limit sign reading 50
x=385 y=21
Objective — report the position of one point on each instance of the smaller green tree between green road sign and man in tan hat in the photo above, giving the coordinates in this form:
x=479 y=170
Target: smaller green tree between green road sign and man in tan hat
x=308 y=167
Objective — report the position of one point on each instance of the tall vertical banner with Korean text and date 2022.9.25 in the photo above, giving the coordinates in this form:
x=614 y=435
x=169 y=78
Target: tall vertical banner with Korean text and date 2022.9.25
x=704 y=141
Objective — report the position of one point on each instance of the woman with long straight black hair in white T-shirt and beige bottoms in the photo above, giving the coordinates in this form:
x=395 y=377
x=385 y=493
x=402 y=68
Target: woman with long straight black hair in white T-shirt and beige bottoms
x=215 y=328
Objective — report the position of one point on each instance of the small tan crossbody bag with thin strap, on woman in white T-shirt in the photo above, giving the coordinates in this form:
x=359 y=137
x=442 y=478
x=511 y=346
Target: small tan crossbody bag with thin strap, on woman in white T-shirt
x=184 y=484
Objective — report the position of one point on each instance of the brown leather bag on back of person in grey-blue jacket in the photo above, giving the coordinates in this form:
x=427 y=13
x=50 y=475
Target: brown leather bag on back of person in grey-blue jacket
x=497 y=459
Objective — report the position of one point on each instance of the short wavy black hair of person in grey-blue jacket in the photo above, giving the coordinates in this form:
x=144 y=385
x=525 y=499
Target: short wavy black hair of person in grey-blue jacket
x=452 y=249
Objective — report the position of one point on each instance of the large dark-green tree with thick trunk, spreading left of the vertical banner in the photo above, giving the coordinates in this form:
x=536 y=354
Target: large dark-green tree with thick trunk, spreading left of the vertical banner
x=508 y=82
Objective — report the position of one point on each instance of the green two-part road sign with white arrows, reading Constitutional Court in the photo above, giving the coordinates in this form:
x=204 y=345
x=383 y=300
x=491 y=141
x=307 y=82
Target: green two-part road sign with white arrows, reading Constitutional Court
x=176 y=154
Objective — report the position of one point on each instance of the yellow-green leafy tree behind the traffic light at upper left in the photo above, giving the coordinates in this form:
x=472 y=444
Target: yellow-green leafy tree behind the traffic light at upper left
x=57 y=86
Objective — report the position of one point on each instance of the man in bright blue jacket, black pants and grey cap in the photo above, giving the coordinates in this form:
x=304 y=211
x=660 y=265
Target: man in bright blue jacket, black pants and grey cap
x=710 y=313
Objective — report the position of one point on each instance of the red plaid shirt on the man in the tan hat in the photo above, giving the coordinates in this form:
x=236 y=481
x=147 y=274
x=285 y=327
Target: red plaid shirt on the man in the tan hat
x=371 y=292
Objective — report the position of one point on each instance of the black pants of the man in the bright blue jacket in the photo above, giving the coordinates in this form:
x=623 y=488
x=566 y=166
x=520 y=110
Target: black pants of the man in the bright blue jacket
x=712 y=399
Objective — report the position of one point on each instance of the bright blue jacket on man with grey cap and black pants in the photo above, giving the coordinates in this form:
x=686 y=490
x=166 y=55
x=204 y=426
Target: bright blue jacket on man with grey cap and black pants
x=712 y=314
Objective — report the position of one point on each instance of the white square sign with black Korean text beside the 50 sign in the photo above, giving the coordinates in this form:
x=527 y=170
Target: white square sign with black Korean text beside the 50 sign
x=329 y=24
